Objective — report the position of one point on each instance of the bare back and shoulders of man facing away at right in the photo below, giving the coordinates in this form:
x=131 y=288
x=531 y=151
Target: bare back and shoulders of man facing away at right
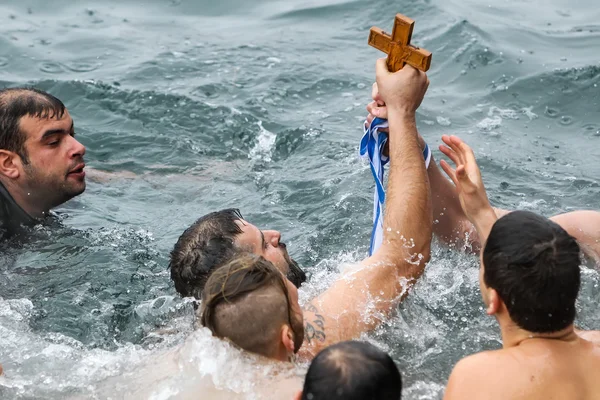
x=537 y=369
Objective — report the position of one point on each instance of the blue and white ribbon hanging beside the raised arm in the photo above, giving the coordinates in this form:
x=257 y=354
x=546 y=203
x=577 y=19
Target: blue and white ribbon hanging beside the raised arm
x=371 y=146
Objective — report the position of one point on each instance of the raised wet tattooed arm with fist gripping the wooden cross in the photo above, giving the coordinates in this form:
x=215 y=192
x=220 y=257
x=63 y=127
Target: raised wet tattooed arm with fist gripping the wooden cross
x=364 y=295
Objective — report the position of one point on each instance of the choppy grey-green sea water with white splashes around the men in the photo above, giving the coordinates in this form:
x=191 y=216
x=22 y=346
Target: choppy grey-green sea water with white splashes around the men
x=258 y=105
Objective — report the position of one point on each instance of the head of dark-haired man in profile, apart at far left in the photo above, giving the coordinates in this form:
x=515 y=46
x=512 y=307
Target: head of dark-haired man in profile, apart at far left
x=39 y=155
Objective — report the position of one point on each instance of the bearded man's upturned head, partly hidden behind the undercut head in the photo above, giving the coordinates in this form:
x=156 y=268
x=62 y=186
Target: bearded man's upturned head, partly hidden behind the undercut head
x=217 y=238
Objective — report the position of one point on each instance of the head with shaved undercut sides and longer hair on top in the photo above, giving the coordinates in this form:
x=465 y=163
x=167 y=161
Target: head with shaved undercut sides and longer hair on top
x=250 y=303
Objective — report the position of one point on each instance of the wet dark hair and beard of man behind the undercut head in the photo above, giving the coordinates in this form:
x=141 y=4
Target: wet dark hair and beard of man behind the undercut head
x=206 y=245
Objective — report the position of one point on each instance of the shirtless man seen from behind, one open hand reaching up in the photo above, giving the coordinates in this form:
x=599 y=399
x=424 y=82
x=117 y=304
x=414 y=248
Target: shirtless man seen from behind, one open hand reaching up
x=529 y=279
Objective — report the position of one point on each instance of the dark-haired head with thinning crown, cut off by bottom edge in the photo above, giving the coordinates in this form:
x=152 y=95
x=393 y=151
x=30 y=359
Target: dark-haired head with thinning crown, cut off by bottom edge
x=352 y=370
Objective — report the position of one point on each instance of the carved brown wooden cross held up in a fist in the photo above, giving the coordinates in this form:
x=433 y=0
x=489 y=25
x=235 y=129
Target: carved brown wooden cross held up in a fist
x=398 y=47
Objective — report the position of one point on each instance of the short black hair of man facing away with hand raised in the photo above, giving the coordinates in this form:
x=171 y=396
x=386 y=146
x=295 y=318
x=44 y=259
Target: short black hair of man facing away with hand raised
x=533 y=264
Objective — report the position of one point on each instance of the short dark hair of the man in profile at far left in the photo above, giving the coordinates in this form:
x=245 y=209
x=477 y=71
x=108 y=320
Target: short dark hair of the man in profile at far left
x=16 y=103
